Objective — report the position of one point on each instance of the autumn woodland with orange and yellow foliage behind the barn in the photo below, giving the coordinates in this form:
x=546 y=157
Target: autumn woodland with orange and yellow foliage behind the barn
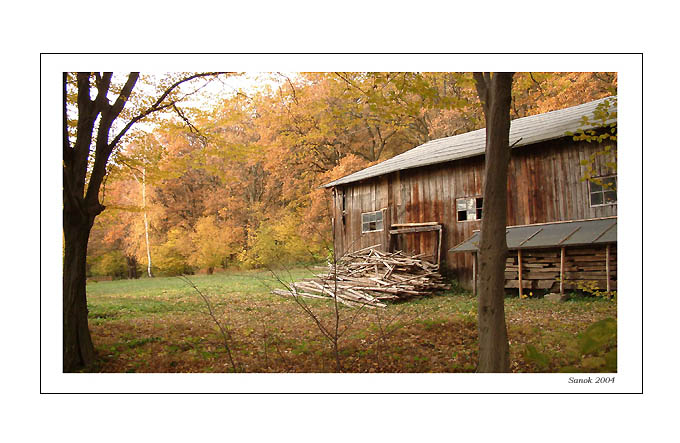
x=238 y=186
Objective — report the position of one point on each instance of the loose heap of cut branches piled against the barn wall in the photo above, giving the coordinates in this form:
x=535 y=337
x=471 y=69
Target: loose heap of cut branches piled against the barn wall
x=368 y=277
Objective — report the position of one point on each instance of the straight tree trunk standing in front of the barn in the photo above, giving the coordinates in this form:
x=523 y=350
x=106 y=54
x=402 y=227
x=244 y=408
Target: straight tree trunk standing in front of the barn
x=494 y=353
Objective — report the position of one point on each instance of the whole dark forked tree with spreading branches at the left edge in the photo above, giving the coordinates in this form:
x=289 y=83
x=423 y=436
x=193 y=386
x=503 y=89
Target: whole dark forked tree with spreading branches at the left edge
x=81 y=203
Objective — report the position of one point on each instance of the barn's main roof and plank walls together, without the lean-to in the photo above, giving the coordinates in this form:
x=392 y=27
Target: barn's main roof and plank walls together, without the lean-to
x=430 y=199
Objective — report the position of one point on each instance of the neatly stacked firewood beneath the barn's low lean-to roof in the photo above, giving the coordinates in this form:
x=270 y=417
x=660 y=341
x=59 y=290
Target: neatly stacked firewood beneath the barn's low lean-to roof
x=541 y=268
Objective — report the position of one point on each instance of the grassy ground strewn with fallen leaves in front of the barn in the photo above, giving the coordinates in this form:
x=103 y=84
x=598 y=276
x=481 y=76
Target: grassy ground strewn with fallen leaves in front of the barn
x=163 y=325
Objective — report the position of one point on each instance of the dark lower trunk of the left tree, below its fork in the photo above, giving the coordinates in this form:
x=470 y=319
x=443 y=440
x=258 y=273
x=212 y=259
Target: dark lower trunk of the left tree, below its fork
x=78 y=349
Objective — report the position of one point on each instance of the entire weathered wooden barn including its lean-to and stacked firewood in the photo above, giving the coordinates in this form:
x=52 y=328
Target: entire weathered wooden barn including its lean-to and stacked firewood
x=429 y=200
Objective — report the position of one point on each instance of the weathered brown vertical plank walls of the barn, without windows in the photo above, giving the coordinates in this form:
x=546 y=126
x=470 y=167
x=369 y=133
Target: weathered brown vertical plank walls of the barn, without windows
x=544 y=185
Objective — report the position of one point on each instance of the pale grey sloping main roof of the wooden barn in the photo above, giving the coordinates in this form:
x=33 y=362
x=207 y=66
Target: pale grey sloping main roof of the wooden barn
x=527 y=130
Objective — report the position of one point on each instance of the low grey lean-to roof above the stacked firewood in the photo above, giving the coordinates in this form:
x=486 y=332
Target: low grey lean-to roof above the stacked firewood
x=546 y=235
